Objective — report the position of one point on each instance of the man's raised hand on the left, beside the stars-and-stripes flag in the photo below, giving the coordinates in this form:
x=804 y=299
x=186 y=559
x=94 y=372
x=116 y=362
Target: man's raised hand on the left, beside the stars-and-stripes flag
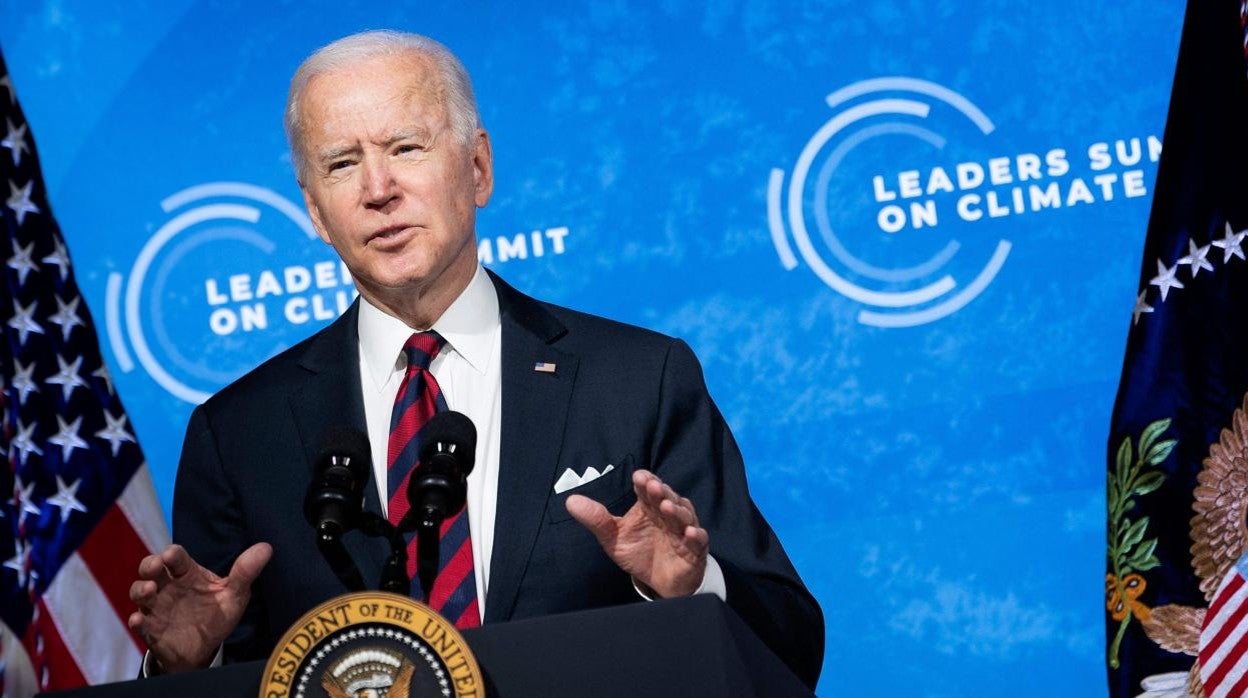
x=185 y=611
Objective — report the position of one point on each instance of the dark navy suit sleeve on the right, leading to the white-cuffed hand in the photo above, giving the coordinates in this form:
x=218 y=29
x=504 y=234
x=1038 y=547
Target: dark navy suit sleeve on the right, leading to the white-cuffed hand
x=696 y=454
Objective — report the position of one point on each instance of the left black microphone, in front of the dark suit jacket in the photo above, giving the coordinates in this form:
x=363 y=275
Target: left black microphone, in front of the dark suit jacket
x=336 y=494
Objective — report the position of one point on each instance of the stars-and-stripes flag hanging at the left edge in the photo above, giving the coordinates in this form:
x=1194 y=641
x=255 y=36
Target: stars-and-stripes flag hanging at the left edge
x=78 y=509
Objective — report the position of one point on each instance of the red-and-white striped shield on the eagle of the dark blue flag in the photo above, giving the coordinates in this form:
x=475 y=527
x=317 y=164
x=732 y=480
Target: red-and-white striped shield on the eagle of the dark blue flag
x=1224 y=644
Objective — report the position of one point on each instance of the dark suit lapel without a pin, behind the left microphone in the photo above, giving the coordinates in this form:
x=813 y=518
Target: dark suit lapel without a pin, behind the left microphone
x=329 y=396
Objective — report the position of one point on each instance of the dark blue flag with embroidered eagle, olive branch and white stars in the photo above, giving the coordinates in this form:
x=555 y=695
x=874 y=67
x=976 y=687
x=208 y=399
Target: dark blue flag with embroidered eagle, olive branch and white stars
x=1177 y=486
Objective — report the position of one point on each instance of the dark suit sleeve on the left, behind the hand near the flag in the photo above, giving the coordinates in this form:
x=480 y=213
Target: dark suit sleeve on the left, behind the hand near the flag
x=209 y=523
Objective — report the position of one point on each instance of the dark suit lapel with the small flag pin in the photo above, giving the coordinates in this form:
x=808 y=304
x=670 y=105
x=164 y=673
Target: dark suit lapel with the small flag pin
x=535 y=411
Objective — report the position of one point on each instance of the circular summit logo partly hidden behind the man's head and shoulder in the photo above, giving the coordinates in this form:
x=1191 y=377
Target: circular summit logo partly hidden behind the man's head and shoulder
x=235 y=275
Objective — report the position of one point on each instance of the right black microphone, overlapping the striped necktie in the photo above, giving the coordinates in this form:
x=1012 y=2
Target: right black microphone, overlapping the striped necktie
x=439 y=486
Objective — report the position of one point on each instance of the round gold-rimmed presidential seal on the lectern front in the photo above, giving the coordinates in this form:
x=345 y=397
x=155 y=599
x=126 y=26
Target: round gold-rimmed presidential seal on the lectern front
x=373 y=645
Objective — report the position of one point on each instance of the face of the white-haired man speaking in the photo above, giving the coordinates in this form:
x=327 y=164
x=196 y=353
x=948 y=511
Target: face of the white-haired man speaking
x=389 y=184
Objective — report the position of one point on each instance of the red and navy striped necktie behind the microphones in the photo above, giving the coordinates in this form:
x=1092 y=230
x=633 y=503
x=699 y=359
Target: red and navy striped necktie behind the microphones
x=455 y=592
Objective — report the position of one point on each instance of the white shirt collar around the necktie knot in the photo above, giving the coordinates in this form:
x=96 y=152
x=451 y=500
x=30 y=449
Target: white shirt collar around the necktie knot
x=469 y=327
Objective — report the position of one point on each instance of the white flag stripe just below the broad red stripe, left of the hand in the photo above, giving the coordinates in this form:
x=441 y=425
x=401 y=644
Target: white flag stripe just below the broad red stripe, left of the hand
x=89 y=626
